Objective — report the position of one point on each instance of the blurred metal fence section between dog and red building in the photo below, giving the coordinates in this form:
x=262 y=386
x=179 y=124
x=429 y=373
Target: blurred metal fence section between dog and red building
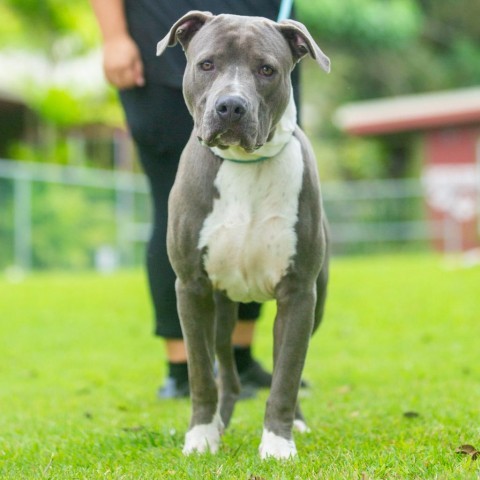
x=374 y=215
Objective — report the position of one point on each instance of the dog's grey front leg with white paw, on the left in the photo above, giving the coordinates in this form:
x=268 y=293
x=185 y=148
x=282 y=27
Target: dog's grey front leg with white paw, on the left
x=196 y=309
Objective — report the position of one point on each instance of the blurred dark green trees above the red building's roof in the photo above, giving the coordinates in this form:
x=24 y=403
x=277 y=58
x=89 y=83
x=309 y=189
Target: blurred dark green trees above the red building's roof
x=399 y=46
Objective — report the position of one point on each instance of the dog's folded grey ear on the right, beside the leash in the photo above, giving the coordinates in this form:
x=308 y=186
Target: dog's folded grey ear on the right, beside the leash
x=302 y=43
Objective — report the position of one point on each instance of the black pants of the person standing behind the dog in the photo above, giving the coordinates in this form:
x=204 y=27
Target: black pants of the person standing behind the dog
x=160 y=125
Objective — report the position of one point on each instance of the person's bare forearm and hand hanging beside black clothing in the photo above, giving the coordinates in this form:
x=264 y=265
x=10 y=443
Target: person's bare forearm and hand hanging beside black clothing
x=122 y=62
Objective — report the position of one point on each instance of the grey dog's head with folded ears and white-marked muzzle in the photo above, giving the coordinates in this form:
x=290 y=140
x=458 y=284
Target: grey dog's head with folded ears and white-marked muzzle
x=237 y=80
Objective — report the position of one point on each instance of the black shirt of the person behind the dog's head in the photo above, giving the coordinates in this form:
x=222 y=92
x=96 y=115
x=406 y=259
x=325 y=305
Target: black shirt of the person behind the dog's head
x=150 y=20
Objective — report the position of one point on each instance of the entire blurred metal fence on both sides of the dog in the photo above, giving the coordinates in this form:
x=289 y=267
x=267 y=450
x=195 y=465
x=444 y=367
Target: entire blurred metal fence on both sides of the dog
x=54 y=216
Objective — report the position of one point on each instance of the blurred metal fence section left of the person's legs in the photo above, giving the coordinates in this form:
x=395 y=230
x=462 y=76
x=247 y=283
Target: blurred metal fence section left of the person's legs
x=122 y=198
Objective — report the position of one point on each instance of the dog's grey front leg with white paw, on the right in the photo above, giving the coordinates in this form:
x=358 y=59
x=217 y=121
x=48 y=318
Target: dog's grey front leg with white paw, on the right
x=292 y=331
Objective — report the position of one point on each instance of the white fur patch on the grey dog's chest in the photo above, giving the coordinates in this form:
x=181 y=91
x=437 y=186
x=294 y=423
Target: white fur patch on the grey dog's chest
x=250 y=234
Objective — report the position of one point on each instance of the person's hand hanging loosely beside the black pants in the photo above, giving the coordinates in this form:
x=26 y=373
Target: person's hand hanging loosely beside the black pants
x=122 y=63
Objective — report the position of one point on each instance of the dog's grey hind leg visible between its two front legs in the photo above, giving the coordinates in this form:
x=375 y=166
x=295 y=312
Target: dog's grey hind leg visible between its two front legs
x=226 y=317
